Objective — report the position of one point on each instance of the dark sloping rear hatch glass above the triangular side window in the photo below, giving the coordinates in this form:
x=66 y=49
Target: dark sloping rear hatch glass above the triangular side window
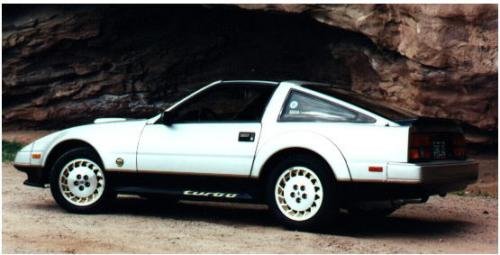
x=392 y=113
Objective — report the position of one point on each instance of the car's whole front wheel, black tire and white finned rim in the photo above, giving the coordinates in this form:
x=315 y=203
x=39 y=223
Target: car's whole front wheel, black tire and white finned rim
x=78 y=182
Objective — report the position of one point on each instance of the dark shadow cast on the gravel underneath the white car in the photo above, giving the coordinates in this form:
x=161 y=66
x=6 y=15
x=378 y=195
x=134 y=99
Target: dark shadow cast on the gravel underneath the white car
x=258 y=215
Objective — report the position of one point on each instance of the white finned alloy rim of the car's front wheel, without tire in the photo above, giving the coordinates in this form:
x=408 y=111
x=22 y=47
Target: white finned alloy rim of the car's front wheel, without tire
x=81 y=182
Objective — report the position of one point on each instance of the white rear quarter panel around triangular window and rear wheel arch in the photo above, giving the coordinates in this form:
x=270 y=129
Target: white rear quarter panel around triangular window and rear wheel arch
x=349 y=148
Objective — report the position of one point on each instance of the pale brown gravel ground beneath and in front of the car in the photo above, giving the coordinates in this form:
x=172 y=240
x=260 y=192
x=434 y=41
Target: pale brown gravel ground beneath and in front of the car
x=33 y=223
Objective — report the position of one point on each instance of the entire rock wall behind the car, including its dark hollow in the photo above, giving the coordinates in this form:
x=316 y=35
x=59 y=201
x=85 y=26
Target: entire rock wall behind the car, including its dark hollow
x=65 y=65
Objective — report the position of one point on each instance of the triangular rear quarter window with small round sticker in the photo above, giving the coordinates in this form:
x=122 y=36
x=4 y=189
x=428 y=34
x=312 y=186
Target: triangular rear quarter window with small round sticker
x=300 y=107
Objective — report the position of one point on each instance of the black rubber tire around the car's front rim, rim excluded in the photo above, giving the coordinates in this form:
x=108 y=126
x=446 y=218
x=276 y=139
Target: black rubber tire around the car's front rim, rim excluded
x=79 y=153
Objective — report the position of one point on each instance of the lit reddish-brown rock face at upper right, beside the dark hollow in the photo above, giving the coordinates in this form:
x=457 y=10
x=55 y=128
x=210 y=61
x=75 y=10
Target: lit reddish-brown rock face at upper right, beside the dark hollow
x=447 y=61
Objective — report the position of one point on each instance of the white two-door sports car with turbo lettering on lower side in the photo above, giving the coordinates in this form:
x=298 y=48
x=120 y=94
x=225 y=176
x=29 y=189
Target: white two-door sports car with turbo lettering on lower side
x=306 y=149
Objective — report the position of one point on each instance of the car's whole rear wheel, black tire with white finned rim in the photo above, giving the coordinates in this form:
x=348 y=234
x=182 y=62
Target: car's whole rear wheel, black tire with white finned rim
x=301 y=194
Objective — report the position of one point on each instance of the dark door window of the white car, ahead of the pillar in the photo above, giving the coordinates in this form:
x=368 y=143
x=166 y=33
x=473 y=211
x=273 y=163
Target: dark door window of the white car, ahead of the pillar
x=226 y=103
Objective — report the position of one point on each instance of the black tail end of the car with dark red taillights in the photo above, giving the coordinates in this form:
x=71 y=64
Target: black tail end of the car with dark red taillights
x=434 y=139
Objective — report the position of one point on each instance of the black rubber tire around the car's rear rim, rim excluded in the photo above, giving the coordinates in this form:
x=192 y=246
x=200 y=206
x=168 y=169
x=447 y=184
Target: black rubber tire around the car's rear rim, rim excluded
x=327 y=212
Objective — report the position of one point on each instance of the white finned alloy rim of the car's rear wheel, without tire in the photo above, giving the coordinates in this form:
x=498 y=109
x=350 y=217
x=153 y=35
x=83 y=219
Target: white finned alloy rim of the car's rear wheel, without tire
x=298 y=193
